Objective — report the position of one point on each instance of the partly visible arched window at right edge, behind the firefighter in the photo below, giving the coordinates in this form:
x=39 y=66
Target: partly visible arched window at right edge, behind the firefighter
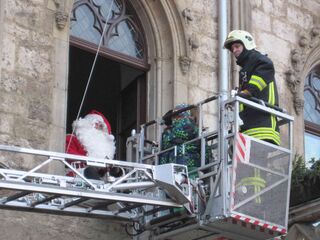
x=312 y=115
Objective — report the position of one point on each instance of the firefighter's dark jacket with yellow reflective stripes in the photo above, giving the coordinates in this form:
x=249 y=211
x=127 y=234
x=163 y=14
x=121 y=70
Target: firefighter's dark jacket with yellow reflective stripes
x=257 y=76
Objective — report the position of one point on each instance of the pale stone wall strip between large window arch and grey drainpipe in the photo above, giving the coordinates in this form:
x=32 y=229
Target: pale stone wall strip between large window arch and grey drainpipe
x=200 y=81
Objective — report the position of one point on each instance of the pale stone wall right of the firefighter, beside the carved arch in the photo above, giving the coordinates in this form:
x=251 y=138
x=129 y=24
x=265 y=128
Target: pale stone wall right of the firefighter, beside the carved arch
x=278 y=27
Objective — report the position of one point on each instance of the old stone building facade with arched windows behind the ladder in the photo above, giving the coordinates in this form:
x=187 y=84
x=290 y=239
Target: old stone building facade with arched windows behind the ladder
x=154 y=54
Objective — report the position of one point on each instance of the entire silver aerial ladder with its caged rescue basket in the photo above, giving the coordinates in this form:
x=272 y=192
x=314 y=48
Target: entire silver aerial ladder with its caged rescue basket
x=240 y=191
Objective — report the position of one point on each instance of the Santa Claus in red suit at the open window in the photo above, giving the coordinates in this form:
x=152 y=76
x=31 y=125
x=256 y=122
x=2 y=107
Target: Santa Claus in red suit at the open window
x=91 y=137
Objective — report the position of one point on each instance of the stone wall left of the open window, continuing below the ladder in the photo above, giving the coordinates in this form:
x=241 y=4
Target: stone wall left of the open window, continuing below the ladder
x=34 y=43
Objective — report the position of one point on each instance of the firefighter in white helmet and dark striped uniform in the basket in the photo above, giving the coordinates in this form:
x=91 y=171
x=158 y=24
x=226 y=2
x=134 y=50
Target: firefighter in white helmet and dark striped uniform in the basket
x=256 y=79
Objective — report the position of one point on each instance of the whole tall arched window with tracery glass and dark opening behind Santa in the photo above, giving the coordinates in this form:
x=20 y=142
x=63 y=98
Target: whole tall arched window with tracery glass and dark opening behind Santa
x=118 y=85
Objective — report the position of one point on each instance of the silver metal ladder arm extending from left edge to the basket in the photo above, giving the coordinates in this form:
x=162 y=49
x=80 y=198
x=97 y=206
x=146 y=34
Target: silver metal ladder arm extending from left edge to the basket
x=120 y=198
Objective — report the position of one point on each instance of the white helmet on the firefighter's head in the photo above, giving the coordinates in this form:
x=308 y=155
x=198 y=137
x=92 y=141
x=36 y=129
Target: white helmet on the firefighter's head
x=240 y=36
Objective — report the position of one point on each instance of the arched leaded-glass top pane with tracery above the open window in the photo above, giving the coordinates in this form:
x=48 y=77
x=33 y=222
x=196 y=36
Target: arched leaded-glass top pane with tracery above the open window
x=123 y=38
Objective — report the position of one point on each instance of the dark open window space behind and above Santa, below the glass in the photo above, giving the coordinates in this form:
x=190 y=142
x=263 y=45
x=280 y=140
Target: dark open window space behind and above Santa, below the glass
x=116 y=90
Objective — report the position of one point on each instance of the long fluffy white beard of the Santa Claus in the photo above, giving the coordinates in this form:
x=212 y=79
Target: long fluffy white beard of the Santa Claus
x=97 y=143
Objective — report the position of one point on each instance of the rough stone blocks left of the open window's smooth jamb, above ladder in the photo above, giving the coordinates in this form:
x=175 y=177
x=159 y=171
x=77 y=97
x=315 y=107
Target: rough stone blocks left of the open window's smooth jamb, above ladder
x=26 y=73
